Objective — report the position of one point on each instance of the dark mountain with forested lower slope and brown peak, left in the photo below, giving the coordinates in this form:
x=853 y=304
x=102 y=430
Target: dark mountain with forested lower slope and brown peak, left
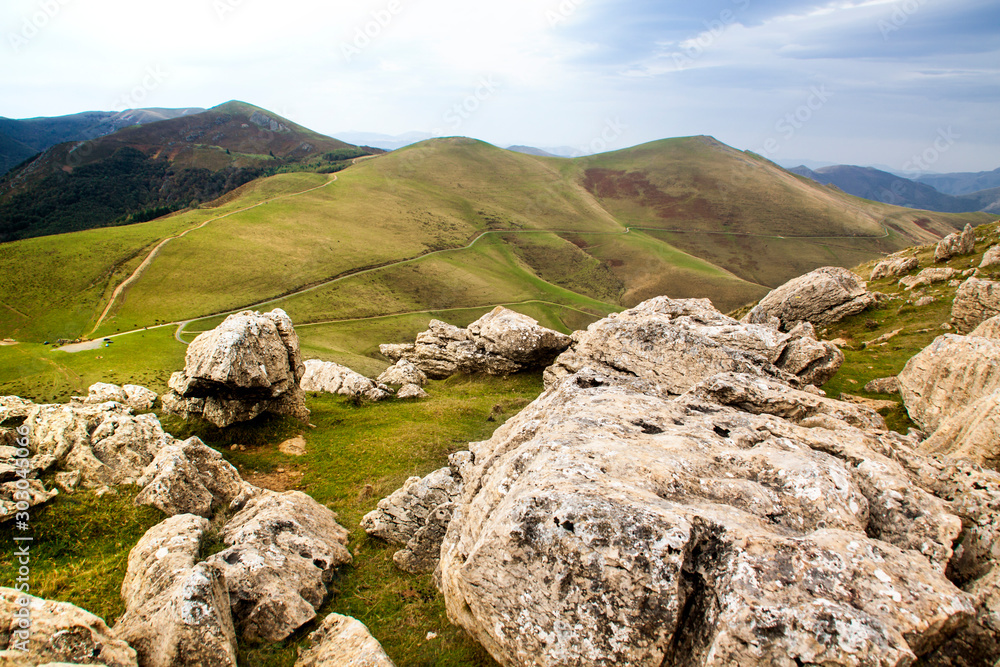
x=147 y=170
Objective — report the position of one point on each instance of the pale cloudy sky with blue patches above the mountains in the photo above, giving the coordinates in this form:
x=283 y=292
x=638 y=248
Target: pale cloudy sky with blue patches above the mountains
x=912 y=85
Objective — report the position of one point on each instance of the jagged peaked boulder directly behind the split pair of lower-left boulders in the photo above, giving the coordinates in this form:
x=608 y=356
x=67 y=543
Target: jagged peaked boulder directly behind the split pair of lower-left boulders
x=189 y=478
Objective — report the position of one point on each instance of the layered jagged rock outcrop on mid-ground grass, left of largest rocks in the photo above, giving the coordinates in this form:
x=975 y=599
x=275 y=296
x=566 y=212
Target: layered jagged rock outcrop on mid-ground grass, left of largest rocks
x=499 y=343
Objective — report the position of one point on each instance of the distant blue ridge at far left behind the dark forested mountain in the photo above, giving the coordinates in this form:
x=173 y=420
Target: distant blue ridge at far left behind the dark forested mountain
x=22 y=139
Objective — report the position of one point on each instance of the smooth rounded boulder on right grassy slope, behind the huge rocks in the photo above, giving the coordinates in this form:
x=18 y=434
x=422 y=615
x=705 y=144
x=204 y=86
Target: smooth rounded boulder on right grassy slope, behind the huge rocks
x=823 y=296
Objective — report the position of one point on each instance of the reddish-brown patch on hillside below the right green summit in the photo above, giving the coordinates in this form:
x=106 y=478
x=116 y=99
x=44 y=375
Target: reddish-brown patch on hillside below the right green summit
x=636 y=186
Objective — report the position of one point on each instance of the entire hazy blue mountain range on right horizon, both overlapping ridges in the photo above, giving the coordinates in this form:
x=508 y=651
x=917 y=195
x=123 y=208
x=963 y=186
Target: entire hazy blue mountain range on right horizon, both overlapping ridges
x=882 y=186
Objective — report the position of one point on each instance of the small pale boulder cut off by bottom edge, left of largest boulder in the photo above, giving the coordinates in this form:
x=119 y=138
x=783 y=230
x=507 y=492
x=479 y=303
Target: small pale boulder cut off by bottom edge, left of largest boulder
x=343 y=641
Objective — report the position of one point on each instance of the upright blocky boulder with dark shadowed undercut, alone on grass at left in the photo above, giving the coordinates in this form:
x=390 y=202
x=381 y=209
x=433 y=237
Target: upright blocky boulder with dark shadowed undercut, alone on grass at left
x=248 y=365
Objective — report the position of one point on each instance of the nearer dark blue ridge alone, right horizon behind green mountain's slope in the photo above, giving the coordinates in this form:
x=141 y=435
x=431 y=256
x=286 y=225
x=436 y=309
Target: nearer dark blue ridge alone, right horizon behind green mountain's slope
x=877 y=185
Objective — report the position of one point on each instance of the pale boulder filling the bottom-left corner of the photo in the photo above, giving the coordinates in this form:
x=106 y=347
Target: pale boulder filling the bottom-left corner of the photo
x=59 y=633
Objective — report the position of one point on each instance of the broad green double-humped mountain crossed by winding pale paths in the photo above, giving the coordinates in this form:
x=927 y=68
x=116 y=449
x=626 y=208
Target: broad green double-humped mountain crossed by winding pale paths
x=454 y=226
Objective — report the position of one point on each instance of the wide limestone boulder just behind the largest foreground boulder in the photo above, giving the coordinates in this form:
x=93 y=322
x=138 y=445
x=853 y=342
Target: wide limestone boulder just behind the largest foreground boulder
x=675 y=343
